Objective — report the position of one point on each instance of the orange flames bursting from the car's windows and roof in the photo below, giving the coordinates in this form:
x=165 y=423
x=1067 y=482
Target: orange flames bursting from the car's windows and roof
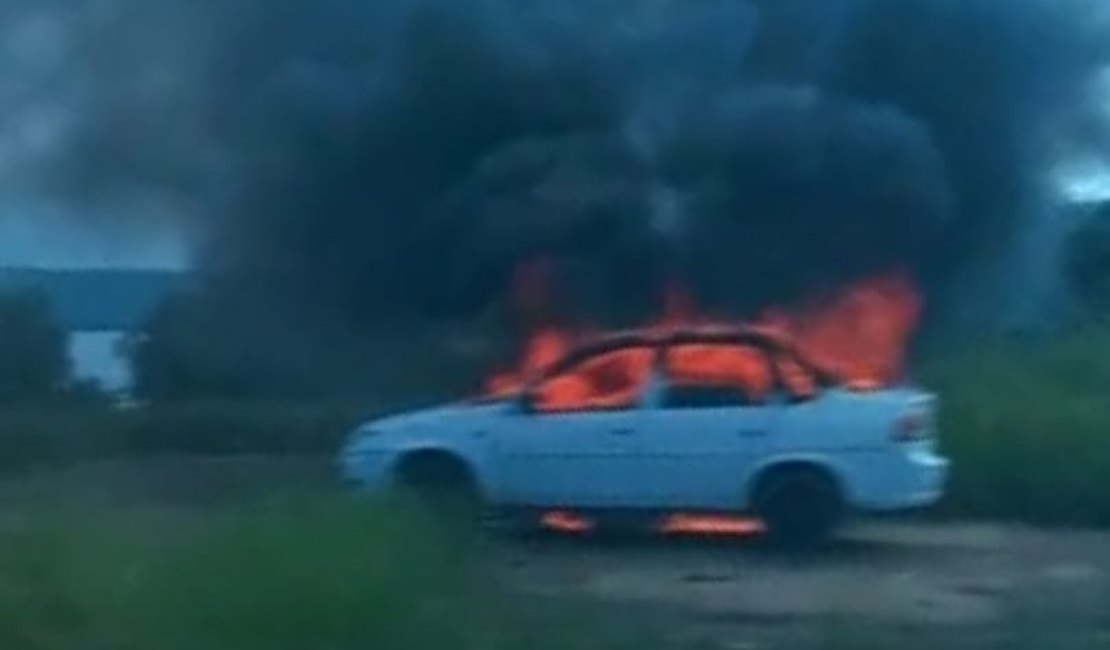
x=859 y=337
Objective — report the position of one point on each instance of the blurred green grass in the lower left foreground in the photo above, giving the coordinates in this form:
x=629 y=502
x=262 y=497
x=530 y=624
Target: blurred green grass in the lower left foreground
x=294 y=574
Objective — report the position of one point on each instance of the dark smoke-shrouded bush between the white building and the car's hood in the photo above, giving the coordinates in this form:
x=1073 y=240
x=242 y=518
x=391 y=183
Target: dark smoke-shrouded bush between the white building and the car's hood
x=213 y=344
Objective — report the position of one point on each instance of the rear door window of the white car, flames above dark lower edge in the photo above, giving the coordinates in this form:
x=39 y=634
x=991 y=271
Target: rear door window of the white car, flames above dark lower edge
x=717 y=375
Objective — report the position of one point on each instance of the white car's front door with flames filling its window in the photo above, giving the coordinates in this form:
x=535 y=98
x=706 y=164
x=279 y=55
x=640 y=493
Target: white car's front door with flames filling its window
x=571 y=443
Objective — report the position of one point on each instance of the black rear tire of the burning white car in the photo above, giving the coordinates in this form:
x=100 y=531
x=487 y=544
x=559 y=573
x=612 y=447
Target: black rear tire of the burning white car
x=800 y=506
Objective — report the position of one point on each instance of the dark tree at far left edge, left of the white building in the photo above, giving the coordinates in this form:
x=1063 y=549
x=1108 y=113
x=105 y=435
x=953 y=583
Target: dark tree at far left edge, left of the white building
x=34 y=350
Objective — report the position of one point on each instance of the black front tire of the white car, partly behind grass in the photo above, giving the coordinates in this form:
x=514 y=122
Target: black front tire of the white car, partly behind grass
x=442 y=485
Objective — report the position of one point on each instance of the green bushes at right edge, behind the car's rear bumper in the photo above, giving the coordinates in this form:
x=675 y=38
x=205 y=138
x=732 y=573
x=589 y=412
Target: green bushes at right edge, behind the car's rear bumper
x=1028 y=430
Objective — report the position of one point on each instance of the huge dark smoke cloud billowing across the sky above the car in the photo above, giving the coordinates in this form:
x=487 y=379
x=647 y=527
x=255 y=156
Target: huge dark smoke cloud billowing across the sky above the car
x=400 y=159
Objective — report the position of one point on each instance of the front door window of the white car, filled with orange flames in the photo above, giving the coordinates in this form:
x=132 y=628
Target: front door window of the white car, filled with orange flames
x=608 y=381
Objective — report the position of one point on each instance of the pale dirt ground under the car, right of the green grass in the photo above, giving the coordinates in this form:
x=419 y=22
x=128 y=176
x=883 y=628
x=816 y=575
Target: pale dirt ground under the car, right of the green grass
x=916 y=580
